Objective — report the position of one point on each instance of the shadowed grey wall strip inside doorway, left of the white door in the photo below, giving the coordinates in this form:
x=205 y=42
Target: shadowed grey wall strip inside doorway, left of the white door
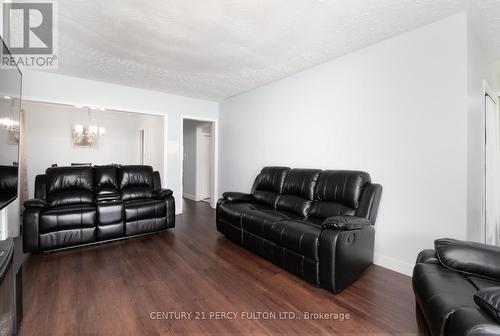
x=189 y=147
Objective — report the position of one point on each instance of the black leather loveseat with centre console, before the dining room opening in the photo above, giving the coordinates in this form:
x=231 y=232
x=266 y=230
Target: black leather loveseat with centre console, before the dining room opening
x=85 y=205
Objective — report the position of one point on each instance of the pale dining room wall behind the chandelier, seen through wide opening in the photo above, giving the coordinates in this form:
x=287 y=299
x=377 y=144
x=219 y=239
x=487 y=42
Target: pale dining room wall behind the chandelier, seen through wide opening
x=49 y=138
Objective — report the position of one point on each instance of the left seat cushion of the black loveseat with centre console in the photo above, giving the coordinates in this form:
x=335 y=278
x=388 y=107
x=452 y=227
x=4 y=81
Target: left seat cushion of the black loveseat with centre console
x=68 y=217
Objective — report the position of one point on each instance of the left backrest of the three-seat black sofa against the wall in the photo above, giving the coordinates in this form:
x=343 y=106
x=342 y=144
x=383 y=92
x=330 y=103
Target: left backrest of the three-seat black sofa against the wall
x=269 y=184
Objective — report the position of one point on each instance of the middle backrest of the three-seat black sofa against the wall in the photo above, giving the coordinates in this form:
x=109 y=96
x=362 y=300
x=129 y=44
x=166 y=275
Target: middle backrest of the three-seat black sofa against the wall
x=298 y=191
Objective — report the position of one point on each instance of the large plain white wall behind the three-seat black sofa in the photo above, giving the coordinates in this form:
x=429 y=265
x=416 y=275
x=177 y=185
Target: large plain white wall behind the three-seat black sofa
x=396 y=109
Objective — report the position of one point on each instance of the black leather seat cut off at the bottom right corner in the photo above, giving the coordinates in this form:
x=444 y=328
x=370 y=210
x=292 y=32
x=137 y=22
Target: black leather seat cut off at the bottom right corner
x=457 y=288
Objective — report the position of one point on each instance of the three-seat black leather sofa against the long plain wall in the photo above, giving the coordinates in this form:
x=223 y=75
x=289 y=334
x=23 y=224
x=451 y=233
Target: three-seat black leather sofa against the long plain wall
x=315 y=224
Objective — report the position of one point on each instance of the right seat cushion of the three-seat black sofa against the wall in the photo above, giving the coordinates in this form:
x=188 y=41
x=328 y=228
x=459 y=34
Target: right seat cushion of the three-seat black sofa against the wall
x=300 y=236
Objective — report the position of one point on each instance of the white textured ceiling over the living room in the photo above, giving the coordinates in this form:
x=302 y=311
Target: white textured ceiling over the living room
x=214 y=49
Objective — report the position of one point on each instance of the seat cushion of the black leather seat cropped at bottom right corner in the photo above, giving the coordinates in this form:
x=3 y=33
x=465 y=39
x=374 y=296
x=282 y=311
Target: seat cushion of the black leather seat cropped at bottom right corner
x=440 y=291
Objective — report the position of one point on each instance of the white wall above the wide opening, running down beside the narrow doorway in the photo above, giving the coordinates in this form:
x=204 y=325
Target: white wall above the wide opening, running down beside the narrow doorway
x=49 y=87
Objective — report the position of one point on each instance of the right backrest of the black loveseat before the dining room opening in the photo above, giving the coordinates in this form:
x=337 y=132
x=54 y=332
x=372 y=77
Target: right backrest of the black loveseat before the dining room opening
x=135 y=182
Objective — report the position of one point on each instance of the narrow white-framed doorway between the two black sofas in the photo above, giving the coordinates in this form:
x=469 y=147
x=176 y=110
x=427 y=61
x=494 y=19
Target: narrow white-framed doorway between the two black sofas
x=198 y=160
